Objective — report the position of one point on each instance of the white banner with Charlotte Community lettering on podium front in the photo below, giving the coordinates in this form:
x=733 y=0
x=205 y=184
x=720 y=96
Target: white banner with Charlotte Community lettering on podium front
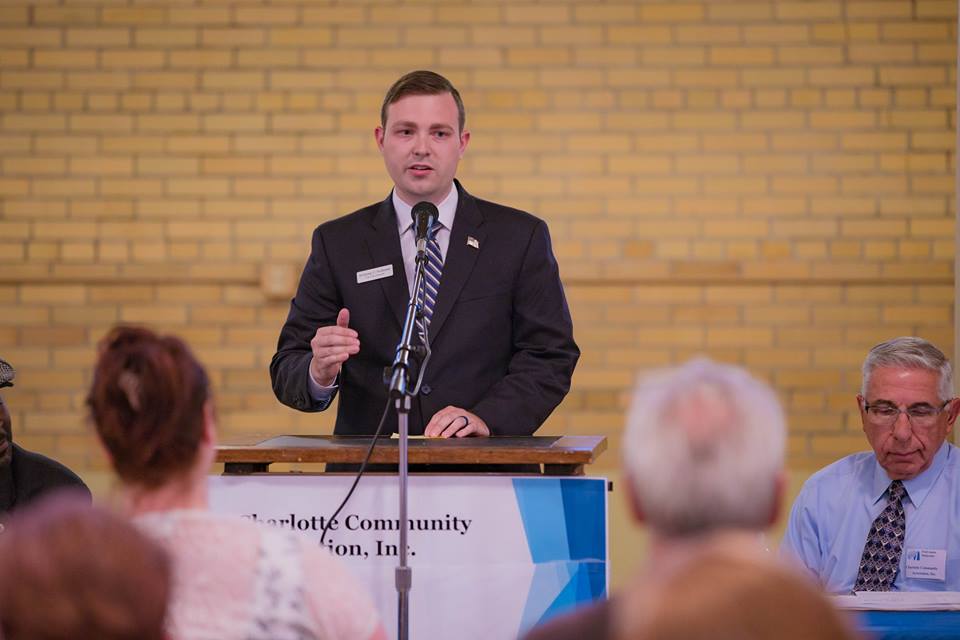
x=491 y=555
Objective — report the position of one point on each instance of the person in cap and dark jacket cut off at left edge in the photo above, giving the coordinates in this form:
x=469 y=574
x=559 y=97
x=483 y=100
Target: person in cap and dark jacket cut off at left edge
x=25 y=475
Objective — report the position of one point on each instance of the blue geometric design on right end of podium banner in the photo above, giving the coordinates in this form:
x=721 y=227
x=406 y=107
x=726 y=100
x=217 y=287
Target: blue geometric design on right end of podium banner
x=565 y=524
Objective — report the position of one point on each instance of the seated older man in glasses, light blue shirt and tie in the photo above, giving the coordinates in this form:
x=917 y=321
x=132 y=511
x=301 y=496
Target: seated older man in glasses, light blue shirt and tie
x=888 y=520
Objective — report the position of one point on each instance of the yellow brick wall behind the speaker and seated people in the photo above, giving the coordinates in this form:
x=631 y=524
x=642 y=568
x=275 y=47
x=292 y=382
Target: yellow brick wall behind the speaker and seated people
x=769 y=183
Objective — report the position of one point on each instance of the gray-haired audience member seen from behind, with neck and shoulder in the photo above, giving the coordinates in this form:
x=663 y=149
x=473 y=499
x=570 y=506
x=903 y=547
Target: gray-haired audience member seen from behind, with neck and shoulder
x=703 y=455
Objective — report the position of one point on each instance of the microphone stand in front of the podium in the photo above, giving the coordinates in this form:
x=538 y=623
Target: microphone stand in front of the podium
x=399 y=389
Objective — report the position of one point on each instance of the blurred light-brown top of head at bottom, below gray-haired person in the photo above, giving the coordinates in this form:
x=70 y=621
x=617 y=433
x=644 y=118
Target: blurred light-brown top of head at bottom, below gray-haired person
x=726 y=592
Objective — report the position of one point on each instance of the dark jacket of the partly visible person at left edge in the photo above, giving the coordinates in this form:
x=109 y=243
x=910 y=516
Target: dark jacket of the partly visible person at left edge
x=30 y=475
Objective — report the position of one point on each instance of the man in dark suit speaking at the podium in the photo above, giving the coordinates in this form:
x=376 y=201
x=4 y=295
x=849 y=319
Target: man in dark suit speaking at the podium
x=500 y=330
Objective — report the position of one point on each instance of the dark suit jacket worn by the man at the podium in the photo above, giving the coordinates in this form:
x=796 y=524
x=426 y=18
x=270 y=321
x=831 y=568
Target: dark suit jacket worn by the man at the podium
x=501 y=332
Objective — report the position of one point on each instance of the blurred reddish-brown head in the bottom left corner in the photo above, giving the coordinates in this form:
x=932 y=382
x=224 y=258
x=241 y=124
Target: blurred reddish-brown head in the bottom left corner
x=68 y=570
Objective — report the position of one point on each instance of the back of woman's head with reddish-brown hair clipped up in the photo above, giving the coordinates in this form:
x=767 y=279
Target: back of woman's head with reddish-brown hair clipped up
x=147 y=404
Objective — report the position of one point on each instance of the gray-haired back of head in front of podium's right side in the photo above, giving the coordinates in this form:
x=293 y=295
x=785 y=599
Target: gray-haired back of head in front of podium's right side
x=704 y=448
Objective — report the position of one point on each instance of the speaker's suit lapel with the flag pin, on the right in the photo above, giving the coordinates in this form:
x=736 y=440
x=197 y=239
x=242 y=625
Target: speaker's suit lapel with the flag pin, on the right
x=459 y=260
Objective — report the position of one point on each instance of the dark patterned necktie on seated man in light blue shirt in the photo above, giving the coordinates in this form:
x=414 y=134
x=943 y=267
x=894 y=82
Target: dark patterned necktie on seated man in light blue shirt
x=881 y=553
